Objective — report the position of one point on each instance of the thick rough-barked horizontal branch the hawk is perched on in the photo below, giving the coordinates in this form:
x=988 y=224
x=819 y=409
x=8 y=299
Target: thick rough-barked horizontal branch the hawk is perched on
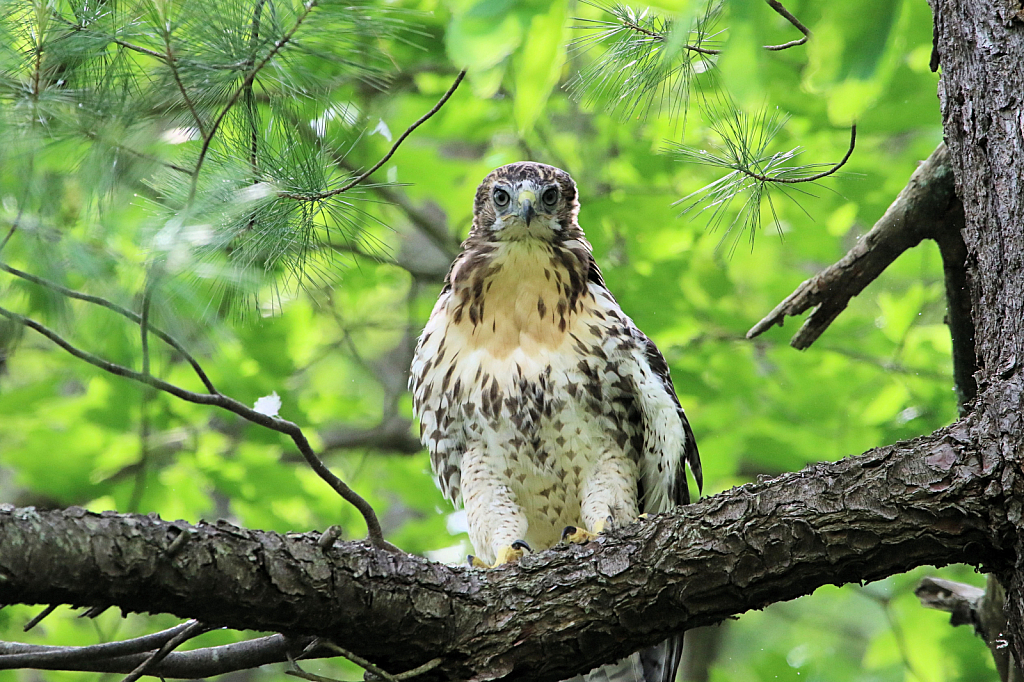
x=934 y=500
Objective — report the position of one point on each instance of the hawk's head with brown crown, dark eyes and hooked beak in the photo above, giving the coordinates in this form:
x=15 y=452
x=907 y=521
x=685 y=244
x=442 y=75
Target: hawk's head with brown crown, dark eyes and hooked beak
x=527 y=200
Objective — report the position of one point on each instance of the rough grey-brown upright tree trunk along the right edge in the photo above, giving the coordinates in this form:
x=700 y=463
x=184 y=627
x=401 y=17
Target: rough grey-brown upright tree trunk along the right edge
x=980 y=47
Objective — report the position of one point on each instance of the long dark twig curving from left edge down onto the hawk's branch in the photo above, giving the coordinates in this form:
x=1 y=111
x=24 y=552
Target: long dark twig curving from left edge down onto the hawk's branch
x=290 y=430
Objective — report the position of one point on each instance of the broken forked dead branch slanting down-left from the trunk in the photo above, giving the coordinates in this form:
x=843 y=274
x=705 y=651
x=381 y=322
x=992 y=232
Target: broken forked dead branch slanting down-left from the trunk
x=926 y=208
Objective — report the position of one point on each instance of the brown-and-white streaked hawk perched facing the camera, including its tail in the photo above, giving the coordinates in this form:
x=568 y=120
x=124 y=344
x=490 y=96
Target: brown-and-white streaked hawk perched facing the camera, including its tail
x=546 y=412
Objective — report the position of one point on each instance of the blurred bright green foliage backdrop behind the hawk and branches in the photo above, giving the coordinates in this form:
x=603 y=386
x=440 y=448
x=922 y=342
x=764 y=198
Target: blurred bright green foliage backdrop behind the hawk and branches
x=335 y=344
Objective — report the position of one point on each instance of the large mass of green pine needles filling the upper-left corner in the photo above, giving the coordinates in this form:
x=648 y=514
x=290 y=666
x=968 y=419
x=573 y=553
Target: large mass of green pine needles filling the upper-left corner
x=201 y=115
